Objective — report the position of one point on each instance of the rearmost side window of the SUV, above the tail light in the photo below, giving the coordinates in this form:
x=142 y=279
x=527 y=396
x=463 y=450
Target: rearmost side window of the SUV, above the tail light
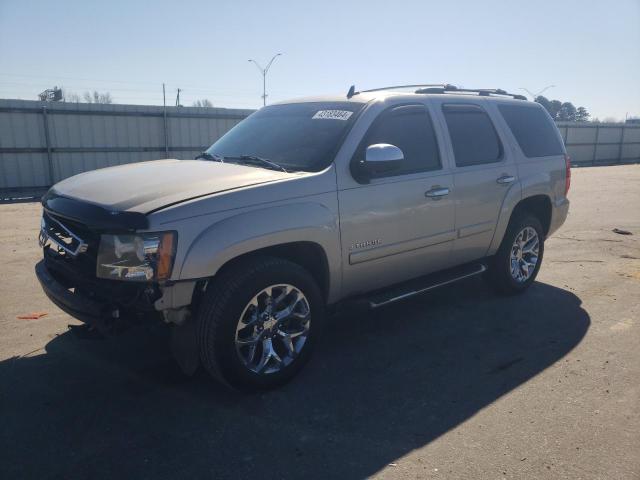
x=534 y=130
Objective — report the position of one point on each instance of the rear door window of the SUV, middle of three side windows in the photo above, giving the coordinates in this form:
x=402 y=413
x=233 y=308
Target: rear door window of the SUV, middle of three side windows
x=473 y=135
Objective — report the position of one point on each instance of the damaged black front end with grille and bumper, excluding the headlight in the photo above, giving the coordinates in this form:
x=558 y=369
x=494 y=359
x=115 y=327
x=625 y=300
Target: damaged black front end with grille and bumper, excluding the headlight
x=70 y=236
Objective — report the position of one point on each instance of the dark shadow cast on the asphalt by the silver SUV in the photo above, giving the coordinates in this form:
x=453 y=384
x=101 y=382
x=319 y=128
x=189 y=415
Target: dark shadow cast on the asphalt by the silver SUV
x=381 y=384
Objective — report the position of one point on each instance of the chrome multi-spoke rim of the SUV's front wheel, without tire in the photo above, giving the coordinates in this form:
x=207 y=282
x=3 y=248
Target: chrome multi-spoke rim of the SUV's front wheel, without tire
x=273 y=329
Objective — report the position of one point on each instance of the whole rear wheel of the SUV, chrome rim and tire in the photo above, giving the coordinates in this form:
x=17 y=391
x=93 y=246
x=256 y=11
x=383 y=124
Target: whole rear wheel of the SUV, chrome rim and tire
x=517 y=262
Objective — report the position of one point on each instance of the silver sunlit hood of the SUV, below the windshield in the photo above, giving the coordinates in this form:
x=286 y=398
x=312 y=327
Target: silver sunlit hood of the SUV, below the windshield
x=148 y=186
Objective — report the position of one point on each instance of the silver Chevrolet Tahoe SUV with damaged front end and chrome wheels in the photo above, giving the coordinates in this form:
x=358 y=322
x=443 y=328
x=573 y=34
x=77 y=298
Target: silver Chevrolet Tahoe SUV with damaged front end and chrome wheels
x=304 y=206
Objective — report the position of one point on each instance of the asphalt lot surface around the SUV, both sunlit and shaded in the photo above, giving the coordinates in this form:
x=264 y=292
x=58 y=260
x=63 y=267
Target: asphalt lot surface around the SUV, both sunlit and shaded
x=458 y=383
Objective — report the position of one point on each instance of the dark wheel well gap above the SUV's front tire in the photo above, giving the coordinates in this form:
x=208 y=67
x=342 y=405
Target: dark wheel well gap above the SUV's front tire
x=308 y=255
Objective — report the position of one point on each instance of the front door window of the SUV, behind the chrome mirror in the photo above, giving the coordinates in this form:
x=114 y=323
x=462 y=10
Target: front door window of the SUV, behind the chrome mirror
x=410 y=129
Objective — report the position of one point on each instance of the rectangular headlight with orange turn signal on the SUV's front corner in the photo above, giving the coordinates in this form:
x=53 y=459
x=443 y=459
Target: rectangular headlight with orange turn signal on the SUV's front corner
x=142 y=258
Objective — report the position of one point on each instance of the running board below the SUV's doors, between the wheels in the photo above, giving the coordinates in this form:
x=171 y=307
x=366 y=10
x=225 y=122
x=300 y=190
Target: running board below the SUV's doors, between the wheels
x=425 y=284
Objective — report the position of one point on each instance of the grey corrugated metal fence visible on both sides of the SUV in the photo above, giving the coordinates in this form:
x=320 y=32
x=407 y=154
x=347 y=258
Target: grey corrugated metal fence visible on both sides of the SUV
x=42 y=143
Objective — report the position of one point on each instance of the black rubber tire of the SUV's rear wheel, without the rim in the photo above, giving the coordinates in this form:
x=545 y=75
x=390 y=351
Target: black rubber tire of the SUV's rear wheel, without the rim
x=501 y=275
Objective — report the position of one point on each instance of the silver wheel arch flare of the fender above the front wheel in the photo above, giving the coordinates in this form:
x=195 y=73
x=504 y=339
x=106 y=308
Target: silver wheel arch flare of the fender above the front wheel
x=264 y=227
